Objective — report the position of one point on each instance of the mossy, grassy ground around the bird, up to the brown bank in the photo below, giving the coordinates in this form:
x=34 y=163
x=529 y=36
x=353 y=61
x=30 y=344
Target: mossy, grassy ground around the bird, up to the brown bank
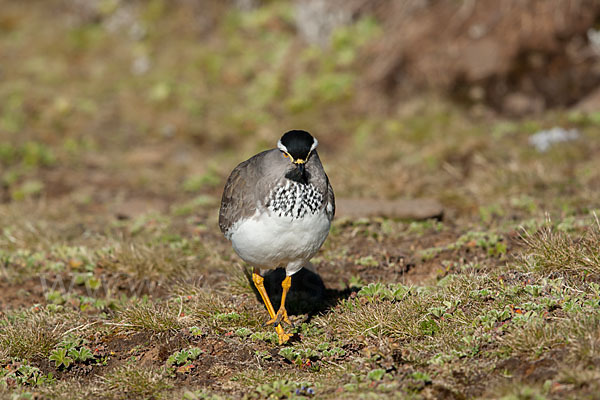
x=119 y=124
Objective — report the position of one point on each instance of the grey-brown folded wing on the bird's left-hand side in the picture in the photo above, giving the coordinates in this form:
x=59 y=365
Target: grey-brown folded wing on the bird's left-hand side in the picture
x=240 y=195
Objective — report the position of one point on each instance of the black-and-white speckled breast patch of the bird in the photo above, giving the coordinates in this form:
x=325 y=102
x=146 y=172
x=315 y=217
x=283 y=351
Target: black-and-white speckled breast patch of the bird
x=295 y=200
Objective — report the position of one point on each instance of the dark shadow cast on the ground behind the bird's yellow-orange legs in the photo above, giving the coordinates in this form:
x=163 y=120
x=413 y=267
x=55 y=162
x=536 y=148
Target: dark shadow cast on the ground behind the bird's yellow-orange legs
x=307 y=295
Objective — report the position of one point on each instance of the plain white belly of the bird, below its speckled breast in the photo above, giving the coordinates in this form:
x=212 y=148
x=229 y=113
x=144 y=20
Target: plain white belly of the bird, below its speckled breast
x=267 y=240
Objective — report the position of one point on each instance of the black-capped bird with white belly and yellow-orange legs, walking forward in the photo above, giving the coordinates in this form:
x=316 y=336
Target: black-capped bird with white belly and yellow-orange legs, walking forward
x=276 y=210
